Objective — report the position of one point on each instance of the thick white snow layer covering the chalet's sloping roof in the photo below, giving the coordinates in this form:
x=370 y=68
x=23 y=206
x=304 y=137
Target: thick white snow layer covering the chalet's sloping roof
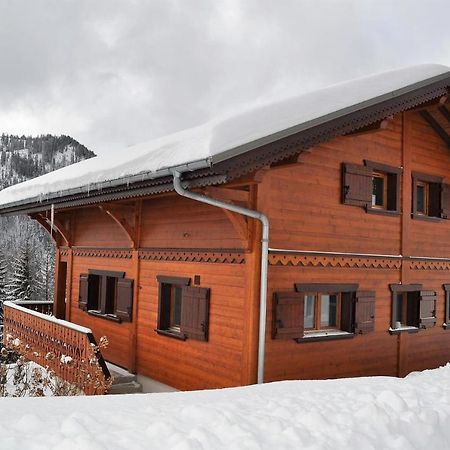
x=207 y=143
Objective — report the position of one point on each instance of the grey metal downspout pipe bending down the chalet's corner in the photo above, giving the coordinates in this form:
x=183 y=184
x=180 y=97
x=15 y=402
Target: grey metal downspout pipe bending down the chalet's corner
x=264 y=257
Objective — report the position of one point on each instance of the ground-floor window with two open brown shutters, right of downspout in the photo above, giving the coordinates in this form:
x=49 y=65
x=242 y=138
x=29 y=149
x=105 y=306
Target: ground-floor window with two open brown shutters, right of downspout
x=323 y=310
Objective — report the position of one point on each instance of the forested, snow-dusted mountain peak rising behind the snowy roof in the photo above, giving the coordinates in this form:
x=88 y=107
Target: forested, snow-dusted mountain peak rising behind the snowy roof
x=25 y=157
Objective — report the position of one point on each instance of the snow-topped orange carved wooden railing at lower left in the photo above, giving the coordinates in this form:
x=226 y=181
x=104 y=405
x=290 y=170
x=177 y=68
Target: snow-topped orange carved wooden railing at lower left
x=67 y=349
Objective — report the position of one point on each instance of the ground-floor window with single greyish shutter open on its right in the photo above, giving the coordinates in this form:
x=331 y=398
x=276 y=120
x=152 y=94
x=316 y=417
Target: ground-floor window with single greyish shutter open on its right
x=412 y=308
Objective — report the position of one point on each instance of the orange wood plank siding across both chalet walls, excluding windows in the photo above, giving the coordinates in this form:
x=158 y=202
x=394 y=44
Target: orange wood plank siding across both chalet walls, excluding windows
x=167 y=235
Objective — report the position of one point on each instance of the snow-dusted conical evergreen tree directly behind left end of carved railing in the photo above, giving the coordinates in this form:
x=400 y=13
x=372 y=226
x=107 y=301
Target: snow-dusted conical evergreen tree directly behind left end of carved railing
x=19 y=286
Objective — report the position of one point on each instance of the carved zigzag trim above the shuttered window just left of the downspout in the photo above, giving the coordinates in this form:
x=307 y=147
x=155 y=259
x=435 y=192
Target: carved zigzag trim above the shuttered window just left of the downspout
x=180 y=255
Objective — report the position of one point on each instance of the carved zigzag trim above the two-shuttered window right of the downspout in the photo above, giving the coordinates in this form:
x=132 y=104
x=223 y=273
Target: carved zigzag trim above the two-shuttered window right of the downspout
x=354 y=262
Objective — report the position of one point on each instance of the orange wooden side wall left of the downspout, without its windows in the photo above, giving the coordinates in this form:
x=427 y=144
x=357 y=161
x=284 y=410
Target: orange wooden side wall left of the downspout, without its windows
x=173 y=223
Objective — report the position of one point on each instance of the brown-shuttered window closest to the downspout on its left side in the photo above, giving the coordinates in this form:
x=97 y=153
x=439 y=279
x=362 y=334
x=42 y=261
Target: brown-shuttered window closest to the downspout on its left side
x=183 y=310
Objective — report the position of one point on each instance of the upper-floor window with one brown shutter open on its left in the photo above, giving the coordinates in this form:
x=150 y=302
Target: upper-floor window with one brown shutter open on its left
x=374 y=186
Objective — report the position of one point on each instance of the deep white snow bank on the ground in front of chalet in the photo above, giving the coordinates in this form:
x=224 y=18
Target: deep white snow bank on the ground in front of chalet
x=365 y=413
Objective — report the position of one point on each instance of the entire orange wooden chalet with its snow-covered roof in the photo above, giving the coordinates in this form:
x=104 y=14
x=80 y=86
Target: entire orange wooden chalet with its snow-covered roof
x=173 y=263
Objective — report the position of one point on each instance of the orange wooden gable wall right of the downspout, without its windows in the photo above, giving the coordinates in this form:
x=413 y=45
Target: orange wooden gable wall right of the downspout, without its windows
x=305 y=211
